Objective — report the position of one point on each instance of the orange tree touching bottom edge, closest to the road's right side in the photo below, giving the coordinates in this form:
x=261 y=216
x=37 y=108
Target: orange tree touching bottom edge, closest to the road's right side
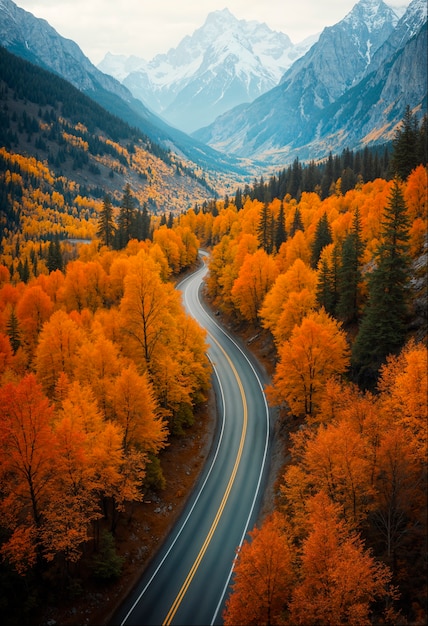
x=263 y=577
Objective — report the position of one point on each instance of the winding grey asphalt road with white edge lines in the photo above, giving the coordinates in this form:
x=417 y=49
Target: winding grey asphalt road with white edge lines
x=188 y=581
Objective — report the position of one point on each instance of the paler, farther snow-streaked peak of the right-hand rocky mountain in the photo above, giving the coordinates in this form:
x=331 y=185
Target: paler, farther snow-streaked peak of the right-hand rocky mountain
x=287 y=116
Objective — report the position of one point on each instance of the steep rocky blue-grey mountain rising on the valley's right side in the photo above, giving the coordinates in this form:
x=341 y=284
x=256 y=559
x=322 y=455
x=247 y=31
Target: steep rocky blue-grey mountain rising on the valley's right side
x=295 y=118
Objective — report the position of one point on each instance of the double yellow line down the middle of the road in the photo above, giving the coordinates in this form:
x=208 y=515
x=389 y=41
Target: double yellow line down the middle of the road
x=174 y=608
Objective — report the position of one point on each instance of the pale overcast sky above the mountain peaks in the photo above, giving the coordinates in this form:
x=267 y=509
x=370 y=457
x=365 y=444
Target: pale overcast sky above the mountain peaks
x=148 y=27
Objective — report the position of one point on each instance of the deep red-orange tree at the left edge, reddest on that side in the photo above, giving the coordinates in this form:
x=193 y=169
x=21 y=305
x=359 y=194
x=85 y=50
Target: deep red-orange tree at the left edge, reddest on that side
x=28 y=461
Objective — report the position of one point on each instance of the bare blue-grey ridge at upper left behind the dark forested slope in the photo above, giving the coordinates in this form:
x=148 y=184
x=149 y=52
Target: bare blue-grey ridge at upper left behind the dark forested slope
x=36 y=41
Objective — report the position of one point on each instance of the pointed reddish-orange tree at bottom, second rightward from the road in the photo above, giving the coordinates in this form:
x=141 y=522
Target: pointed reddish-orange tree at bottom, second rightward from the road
x=339 y=580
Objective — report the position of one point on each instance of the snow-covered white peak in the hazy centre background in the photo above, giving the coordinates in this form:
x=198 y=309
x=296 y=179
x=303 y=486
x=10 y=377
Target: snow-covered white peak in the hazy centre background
x=224 y=63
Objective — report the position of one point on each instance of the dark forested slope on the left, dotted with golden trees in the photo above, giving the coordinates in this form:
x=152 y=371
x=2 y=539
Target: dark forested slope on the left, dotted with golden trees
x=50 y=124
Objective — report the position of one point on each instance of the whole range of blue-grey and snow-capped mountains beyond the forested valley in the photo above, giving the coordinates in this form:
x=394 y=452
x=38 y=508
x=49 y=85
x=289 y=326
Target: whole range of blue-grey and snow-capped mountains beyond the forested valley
x=347 y=88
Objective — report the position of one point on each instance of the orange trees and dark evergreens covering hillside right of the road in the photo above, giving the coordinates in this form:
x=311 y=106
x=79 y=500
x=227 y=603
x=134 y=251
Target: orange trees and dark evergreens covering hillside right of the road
x=337 y=289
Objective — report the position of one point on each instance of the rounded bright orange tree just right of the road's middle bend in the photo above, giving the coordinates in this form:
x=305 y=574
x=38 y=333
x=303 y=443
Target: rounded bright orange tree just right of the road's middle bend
x=316 y=350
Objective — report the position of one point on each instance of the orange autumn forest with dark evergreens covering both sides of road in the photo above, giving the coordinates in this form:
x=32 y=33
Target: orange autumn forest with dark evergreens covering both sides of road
x=101 y=368
